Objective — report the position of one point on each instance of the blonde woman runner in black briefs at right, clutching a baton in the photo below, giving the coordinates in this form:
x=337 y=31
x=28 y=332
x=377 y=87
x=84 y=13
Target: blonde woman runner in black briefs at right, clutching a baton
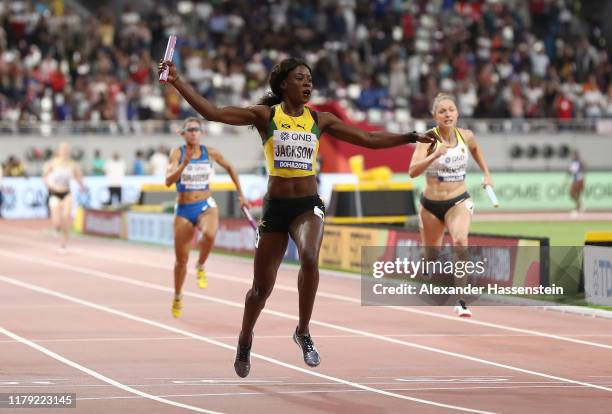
x=445 y=202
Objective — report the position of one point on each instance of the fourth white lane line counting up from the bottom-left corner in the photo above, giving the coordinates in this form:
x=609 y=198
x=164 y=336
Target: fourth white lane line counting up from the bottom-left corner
x=247 y=281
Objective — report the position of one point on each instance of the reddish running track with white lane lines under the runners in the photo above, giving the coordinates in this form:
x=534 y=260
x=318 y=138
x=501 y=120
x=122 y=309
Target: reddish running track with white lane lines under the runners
x=96 y=322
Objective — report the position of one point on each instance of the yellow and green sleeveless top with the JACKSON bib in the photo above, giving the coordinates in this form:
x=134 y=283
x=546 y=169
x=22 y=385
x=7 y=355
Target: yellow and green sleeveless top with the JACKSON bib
x=292 y=143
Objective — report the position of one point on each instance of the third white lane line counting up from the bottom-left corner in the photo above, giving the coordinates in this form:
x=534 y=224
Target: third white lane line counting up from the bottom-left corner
x=154 y=286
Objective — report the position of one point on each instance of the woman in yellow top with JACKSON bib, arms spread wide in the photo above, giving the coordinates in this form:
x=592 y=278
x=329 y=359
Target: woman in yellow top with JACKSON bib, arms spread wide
x=290 y=134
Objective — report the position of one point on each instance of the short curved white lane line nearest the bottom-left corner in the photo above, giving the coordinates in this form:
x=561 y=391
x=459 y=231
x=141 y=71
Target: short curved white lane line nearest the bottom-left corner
x=99 y=376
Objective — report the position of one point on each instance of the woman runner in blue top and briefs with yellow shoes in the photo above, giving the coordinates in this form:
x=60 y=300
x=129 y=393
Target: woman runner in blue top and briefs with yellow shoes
x=190 y=167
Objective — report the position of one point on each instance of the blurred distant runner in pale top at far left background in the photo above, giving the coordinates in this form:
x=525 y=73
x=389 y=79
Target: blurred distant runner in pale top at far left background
x=57 y=174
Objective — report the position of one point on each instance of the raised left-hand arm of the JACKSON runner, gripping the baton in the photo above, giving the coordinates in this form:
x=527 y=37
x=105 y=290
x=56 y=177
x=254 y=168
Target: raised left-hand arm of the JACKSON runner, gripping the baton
x=254 y=115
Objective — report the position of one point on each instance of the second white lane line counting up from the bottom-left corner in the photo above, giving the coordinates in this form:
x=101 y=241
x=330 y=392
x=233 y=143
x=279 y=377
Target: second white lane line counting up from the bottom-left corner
x=226 y=346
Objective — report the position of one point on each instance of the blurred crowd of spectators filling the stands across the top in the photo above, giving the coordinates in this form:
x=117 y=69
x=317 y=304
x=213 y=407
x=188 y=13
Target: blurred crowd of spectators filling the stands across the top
x=510 y=58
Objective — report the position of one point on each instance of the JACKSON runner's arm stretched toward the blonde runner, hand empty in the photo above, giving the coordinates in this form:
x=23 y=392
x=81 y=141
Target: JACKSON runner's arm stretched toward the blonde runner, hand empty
x=332 y=125
